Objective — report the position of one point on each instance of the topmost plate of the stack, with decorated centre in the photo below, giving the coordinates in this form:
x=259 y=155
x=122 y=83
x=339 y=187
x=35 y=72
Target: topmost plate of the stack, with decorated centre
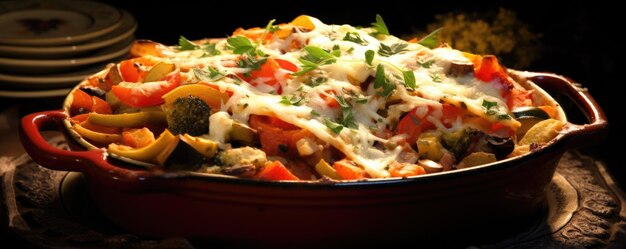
x=37 y=23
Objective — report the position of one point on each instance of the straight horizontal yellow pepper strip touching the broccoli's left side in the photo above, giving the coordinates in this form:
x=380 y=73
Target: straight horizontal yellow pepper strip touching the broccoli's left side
x=136 y=119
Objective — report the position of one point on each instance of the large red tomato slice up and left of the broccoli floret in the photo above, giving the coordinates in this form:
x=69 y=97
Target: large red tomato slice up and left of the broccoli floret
x=146 y=94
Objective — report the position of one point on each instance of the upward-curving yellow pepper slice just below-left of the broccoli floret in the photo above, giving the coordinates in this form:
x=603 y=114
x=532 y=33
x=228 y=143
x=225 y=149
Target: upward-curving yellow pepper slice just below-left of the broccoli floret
x=148 y=153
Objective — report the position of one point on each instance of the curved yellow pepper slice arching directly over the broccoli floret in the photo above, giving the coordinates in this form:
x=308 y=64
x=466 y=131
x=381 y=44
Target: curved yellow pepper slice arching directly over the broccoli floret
x=211 y=96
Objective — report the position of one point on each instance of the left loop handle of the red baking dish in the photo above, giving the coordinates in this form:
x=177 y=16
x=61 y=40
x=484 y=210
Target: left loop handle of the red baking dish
x=47 y=155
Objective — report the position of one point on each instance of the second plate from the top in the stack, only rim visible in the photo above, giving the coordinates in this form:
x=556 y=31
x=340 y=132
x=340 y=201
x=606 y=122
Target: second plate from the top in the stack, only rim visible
x=125 y=30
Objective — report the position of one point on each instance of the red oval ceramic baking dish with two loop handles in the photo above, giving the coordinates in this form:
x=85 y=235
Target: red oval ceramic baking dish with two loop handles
x=462 y=204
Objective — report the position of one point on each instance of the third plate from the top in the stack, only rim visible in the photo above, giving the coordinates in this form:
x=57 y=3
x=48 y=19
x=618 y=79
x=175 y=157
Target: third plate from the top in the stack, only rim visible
x=60 y=65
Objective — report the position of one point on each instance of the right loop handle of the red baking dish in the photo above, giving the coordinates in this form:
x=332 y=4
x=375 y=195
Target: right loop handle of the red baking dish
x=575 y=135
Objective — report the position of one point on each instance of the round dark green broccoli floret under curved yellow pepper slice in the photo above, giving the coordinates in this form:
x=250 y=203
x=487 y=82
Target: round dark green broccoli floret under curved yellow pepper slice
x=188 y=115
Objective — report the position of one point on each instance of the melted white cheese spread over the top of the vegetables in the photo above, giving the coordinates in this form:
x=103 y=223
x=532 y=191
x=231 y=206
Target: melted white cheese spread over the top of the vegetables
x=345 y=77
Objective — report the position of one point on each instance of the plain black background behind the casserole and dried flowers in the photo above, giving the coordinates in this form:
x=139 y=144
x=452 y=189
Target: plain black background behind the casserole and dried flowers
x=578 y=38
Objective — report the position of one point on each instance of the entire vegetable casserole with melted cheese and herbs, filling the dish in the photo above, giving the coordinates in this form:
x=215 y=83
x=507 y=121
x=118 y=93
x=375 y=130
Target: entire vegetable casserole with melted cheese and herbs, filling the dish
x=306 y=100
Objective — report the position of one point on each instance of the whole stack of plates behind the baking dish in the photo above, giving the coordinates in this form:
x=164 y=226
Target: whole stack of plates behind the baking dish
x=47 y=47
